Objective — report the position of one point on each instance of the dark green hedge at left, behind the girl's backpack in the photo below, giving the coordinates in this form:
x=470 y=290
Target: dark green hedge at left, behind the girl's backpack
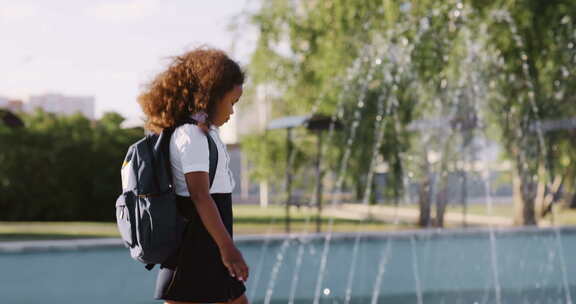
x=62 y=167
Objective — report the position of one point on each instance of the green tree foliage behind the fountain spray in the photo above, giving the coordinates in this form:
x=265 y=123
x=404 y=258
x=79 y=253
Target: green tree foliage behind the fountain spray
x=490 y=68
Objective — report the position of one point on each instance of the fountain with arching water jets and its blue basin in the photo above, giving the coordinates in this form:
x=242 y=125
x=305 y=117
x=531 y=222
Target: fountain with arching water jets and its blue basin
x=447 y=133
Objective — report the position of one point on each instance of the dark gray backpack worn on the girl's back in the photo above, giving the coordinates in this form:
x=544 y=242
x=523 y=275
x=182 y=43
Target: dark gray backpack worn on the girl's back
x=146 y=212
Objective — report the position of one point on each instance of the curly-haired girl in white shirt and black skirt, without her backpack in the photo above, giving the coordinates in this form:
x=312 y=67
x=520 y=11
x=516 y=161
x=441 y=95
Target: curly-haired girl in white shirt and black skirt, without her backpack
x=203 y=84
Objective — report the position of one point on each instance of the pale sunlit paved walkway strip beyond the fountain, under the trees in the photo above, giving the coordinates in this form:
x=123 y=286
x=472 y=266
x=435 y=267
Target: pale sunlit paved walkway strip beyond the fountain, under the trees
x=404 y=214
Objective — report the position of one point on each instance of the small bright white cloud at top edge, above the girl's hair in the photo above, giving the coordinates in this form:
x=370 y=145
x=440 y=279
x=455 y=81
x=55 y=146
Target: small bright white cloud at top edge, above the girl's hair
x=123 y=10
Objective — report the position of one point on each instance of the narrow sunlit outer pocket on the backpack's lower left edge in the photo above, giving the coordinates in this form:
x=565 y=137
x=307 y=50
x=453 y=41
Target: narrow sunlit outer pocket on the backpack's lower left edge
x=125 y=218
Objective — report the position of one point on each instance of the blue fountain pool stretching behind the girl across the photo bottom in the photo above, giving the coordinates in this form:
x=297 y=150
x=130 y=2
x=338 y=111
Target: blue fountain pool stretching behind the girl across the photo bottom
x=469 y=266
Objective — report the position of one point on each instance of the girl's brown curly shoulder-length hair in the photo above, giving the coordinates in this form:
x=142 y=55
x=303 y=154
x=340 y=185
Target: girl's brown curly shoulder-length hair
x=194 y=81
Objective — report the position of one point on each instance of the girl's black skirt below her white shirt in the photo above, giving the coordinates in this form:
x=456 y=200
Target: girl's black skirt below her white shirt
x=196 y=273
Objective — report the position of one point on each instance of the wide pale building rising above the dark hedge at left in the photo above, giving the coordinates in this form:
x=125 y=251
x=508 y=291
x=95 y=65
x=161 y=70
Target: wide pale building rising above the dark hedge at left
x=63 y=105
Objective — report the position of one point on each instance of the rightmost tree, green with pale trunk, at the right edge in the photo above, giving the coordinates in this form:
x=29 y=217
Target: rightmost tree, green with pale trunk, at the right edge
x=534 y=45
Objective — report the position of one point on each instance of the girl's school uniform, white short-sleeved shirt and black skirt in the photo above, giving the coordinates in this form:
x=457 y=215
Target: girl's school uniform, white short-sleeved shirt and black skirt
x=196 y=272
